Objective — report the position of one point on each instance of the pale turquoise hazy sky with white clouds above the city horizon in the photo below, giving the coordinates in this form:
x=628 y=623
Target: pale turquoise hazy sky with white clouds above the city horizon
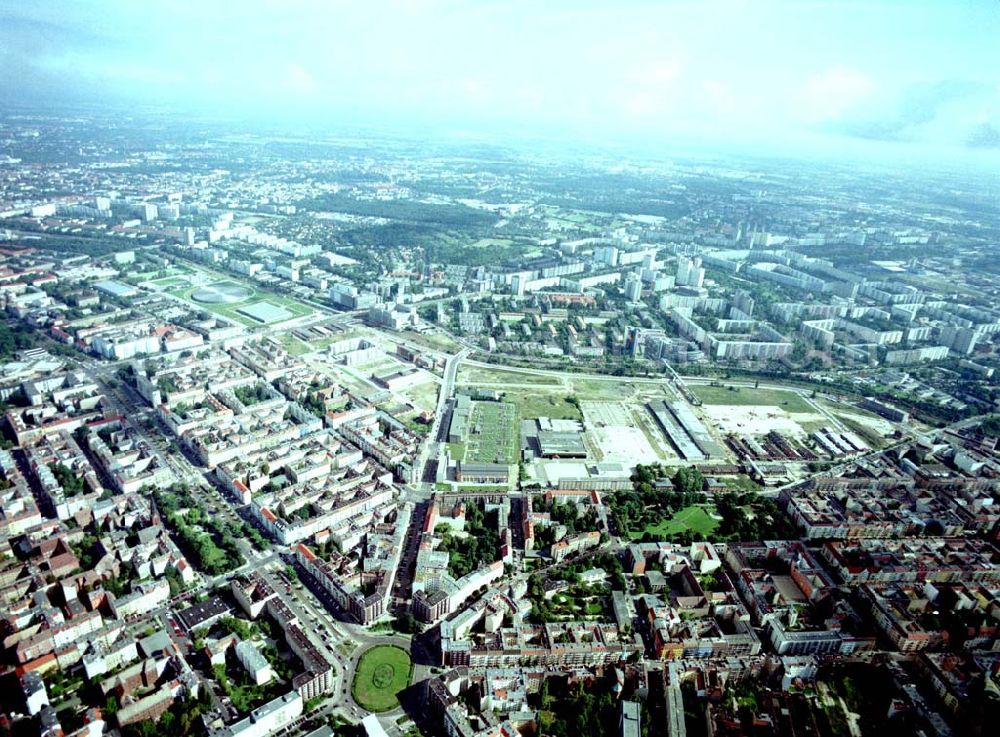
x=782 y=72
